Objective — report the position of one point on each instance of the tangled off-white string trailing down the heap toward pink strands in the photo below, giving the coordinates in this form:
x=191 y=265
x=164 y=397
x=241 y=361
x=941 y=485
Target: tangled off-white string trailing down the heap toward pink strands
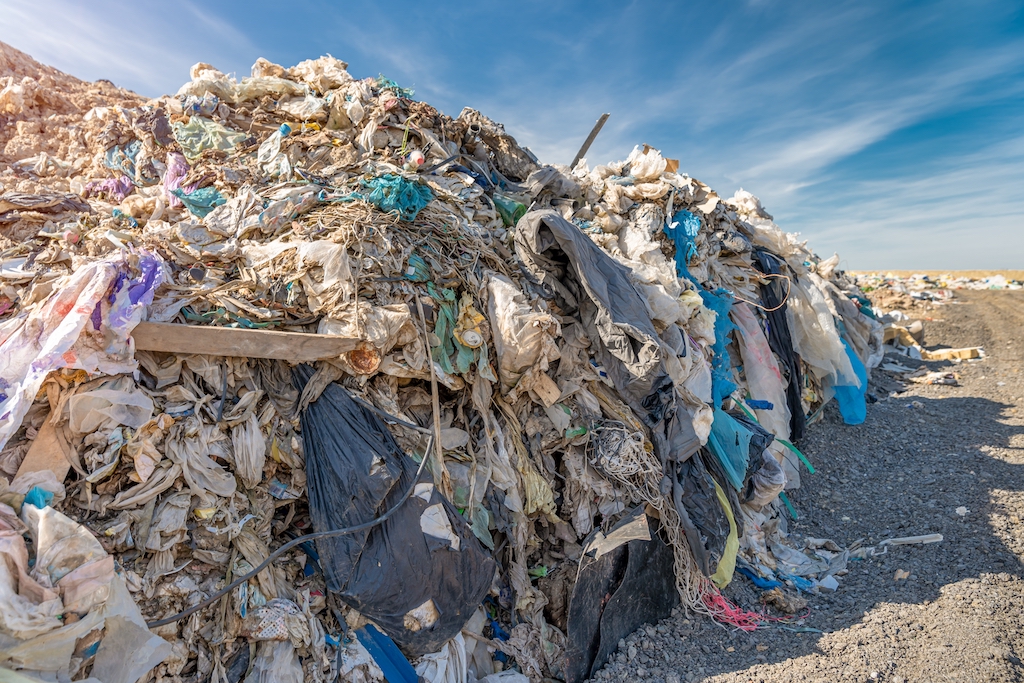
x=622 y=455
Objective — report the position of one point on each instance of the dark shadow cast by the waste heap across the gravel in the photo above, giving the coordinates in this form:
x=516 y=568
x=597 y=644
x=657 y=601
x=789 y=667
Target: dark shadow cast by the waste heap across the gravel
x=904 y=473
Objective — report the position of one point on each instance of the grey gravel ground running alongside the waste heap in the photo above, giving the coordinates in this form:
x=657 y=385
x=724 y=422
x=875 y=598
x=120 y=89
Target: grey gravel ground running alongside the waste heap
x=921 y=455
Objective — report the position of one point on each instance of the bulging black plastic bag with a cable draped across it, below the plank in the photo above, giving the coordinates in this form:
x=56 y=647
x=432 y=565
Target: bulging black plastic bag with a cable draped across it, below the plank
x=419 y=589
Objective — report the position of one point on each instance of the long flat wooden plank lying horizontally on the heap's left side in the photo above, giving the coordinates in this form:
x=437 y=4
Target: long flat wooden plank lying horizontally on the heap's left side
x=294 y=347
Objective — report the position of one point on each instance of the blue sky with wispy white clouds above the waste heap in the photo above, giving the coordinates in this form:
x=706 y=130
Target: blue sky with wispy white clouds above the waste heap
x=890 y=133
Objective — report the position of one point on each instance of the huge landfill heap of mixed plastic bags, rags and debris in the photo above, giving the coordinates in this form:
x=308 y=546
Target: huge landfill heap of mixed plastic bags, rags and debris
x=524 y=409
